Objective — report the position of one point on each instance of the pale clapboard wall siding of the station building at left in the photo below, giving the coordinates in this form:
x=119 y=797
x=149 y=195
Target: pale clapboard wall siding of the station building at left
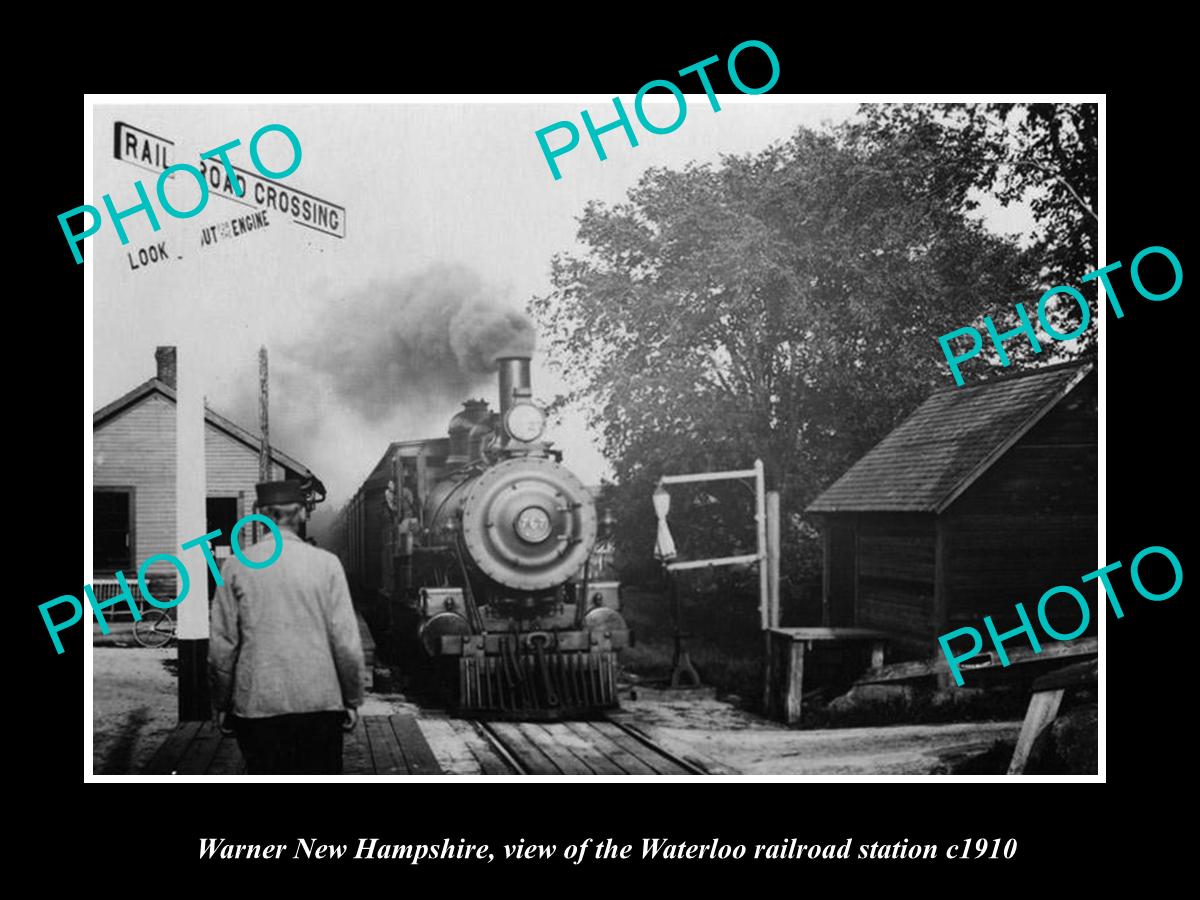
x=137 y=449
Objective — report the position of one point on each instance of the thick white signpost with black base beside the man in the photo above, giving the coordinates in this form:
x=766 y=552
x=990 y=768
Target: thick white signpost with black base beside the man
x=191 y=523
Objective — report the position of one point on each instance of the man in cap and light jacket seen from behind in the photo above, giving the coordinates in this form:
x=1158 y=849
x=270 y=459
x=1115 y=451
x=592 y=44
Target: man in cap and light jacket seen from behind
x=285 y=656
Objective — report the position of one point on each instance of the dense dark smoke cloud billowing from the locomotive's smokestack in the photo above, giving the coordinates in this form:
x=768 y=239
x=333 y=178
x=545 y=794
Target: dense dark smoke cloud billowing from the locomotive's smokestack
x=433 y=337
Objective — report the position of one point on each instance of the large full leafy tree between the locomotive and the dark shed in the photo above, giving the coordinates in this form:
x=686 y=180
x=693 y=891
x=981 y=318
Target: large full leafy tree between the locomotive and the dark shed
x=783 y=305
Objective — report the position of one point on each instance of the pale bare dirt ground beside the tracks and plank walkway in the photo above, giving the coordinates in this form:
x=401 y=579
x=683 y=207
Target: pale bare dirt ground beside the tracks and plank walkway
x=135 y=710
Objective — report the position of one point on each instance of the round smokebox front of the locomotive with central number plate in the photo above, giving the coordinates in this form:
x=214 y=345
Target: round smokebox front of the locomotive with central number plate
x=529 y=524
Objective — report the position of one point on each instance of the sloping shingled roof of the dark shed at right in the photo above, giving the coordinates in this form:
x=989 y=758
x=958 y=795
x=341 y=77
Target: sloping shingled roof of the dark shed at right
x=952 y=439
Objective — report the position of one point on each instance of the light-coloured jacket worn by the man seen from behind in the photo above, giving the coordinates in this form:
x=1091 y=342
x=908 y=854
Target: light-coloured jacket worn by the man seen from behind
x=285 y=639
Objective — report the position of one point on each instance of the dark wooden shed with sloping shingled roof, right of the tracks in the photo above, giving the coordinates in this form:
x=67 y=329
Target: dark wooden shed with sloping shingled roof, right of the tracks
x=985 y=497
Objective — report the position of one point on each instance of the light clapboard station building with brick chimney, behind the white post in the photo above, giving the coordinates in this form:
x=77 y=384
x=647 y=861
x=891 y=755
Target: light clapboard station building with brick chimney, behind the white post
x=134 y=477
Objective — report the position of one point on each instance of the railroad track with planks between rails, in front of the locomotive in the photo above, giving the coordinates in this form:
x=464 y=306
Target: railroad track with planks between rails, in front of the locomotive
x=602 y=747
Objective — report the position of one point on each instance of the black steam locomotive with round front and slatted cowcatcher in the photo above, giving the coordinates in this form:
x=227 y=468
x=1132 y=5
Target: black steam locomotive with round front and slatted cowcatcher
x=473 y=556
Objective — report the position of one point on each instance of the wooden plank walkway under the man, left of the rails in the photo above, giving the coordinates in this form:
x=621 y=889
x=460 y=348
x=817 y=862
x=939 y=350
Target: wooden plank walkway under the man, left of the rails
x=380 y=746
